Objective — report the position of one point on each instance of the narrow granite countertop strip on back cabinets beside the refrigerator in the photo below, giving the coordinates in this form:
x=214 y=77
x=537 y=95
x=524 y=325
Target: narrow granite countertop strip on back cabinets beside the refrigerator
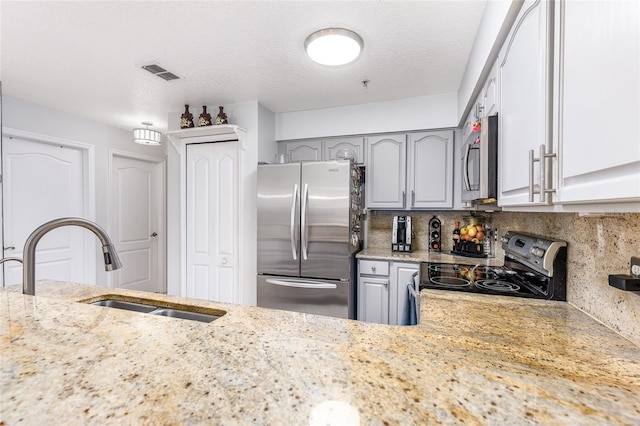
x=424 y=256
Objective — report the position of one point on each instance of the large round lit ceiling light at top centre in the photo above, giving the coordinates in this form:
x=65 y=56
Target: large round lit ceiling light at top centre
x=333 y=46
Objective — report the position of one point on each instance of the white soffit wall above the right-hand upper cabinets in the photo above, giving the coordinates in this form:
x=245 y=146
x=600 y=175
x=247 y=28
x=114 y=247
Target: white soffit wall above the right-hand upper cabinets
x=497 y=19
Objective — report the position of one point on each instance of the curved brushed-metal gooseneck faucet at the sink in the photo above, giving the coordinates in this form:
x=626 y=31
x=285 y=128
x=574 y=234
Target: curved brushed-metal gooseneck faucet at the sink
x=111 y=260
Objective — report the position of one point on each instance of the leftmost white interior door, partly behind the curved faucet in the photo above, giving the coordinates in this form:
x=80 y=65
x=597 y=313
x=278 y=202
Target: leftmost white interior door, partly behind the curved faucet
x=42 y=181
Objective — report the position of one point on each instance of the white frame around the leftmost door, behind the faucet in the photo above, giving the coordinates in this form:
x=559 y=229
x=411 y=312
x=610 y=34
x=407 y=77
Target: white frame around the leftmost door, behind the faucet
x=88 y=176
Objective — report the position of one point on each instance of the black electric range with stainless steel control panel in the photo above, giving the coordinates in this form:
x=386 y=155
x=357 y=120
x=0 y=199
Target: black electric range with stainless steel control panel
x=534 y=266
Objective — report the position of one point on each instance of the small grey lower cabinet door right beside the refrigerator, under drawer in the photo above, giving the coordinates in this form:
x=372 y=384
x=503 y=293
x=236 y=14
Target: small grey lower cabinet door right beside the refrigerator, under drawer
x=373 y=299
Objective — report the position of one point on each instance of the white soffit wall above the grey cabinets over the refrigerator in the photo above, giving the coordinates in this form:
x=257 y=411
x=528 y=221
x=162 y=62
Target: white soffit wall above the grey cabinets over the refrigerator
x=419 y=113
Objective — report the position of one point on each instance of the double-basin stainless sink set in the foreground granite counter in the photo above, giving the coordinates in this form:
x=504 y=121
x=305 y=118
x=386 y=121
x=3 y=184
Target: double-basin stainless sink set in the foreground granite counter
x=151 y=307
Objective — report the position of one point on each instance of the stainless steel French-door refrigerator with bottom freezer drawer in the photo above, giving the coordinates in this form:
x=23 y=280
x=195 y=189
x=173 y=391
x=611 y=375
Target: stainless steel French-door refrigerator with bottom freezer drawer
x=308 y=234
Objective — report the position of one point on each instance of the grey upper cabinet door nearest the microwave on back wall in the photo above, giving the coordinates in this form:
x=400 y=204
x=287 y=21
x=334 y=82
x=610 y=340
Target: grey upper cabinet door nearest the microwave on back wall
x=430 y=177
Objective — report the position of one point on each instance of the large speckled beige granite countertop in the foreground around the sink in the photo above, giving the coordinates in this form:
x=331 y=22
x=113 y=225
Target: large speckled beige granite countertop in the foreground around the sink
x=473 y=359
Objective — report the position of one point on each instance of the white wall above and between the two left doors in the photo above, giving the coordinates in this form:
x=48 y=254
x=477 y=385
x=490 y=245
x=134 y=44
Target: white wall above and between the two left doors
x=34 y=118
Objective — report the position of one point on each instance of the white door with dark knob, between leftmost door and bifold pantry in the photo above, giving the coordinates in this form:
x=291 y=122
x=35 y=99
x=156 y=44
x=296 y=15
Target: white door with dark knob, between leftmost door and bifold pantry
x=137 y=223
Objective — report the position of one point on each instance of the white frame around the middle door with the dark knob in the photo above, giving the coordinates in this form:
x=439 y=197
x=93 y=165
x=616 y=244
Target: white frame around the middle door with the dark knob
x=162 y=219
